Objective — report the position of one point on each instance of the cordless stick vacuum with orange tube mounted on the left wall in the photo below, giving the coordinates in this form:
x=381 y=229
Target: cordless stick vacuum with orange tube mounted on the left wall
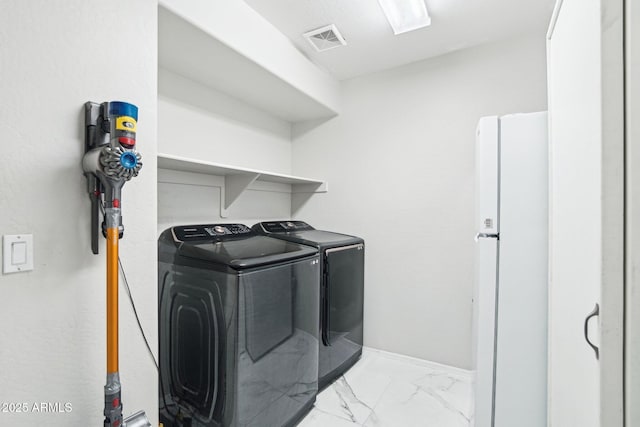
x=109 y=161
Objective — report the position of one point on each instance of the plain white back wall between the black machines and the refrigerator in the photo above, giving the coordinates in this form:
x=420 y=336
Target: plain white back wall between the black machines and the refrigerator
x=400 y=163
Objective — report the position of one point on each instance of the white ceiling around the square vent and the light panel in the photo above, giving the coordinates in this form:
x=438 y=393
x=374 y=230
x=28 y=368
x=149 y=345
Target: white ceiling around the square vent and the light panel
x=371 y=44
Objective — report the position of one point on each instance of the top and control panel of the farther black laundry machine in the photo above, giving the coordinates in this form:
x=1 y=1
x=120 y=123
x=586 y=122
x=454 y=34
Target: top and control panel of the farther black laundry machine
x=305 y=234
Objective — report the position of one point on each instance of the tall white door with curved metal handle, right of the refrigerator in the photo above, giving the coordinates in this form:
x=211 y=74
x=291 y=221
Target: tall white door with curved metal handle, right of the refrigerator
x=586 y=213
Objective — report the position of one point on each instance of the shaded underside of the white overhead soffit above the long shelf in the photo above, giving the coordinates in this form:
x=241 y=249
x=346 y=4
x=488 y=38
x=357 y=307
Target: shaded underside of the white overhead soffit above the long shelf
x=194 y=52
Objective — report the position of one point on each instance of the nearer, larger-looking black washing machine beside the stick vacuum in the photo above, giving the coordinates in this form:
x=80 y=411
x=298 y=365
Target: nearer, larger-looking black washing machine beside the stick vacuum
x=238 y=327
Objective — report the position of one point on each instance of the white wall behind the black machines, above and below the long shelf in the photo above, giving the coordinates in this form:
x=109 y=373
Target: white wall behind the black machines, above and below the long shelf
x=201 y=123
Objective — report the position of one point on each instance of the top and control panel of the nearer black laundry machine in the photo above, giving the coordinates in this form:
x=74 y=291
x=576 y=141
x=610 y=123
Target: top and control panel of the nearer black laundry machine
x=239 y=250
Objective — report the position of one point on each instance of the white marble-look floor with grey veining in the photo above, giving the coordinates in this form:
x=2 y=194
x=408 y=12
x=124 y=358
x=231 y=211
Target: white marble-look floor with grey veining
x=389 y=390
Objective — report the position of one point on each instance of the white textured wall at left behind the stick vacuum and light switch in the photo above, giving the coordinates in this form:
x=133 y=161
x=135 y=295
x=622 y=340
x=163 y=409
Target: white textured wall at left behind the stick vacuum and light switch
x=55 y=56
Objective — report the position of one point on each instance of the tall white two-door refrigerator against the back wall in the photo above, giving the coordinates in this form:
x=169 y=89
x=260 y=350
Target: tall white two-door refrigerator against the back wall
x=510 y=287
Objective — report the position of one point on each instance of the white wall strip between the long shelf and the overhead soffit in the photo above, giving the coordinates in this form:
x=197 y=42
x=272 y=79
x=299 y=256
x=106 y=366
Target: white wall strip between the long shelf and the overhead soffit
x=201 y=123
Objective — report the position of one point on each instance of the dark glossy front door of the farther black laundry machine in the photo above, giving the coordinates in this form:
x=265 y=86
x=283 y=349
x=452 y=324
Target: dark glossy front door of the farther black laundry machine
x=343 y=292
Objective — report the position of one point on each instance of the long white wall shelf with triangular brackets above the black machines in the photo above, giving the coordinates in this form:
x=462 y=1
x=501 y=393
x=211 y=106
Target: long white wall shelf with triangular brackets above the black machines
x=238 y=179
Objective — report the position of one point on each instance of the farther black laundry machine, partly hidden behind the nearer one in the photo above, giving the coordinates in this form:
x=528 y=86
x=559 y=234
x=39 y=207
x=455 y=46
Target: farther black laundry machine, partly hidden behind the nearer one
x=342 y=292
